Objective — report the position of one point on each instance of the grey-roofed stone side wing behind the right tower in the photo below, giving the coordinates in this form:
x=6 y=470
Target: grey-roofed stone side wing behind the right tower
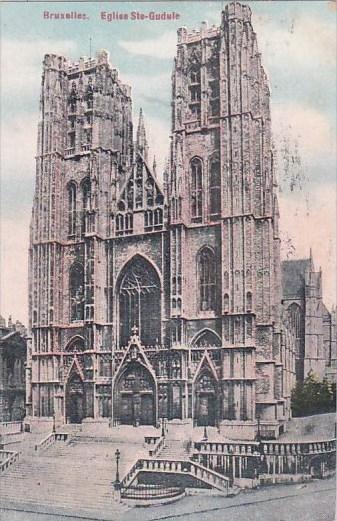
x=314 y=325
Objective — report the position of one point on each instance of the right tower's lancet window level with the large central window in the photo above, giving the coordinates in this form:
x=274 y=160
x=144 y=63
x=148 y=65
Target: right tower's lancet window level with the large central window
x=207 y=279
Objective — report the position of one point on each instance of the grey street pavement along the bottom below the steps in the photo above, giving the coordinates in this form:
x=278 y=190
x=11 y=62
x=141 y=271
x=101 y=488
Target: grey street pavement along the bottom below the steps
x=304 y=502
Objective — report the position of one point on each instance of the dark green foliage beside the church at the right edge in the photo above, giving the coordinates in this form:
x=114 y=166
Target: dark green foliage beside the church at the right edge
x=313 y=396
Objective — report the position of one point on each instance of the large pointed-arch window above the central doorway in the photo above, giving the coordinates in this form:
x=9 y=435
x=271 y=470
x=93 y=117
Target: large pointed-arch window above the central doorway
x=139 y=298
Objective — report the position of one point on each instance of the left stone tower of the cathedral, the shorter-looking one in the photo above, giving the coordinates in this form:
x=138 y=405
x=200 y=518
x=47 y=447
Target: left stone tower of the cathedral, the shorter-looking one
x=85 y=148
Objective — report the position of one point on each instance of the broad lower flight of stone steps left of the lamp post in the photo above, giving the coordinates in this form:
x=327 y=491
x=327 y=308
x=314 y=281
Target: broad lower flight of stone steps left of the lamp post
x=66 y=479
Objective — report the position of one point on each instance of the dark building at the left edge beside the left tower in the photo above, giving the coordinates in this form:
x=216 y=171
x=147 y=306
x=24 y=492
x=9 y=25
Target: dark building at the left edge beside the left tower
x=13 y=352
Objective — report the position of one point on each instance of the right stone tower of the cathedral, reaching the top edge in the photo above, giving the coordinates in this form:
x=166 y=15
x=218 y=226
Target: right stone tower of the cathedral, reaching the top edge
x=224 y=215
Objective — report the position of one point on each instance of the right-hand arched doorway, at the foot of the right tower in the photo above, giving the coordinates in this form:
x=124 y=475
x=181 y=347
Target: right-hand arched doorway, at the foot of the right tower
x=206 y=403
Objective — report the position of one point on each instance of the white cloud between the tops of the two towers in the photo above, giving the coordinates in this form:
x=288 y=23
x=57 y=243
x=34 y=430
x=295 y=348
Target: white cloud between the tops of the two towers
x=163 y=47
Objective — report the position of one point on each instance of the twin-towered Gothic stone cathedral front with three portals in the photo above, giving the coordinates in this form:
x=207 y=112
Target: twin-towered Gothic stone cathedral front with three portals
x=159 y=297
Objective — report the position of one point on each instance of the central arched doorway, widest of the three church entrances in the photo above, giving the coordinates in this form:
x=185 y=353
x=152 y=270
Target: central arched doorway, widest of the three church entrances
x=135 y=396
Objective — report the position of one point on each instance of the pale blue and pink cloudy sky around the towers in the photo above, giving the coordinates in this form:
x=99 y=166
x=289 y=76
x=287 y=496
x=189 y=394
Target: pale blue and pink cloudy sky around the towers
x=298 y=45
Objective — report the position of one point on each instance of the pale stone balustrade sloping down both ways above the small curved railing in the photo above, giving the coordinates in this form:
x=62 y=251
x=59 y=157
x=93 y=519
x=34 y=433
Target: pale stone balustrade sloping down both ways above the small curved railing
x=208 y=476
